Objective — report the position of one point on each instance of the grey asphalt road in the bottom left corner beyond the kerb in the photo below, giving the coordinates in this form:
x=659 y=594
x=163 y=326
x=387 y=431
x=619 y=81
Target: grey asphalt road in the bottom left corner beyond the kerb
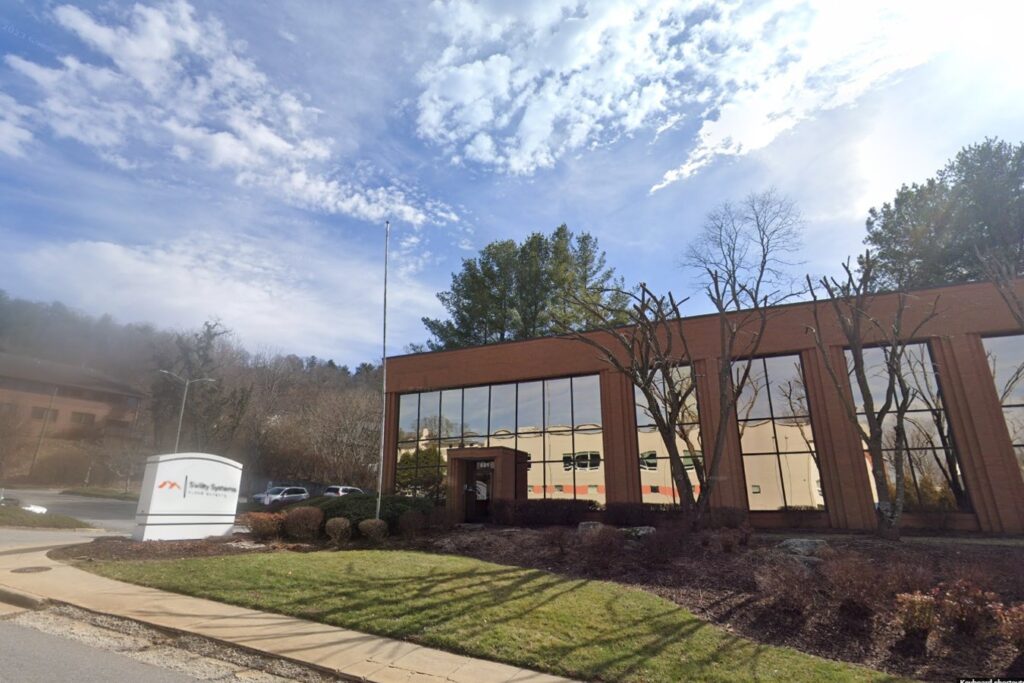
x=28 y=656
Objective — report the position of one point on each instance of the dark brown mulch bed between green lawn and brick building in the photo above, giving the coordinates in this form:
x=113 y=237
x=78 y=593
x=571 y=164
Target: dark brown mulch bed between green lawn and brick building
x=718 y=586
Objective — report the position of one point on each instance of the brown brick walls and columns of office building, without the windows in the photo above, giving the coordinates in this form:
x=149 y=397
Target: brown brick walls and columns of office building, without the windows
x=968 y=314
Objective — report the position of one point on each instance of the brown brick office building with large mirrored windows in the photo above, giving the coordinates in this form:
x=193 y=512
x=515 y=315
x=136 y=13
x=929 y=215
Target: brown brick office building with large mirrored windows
x=548 y=418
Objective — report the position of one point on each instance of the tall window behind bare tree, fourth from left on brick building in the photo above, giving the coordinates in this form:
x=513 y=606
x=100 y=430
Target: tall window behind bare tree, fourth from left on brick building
x=934 y=480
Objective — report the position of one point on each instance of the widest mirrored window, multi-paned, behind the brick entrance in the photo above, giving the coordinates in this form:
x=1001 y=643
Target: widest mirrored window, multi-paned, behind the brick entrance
x=557 y=422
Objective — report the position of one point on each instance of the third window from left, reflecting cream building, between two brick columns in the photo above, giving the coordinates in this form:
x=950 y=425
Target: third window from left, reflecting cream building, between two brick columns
x=781 y=463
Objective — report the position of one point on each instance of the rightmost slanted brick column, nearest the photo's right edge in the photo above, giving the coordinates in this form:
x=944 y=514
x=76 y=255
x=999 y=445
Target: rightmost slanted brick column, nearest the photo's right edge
x=990 y=466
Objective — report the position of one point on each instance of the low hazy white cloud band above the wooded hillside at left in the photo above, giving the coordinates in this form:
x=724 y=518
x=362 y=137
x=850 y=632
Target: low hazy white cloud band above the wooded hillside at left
x=306 y=300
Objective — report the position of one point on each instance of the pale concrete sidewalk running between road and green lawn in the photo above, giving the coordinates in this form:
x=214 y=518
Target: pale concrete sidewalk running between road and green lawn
x=353 y=655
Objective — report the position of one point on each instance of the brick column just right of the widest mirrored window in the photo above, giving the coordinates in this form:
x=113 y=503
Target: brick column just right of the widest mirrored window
x=622 y=458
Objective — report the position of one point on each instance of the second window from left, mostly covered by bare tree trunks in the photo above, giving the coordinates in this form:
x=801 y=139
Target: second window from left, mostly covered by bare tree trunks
x=657 y=483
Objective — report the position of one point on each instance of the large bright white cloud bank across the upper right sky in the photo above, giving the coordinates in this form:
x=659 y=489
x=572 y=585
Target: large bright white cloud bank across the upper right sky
x=522 y=86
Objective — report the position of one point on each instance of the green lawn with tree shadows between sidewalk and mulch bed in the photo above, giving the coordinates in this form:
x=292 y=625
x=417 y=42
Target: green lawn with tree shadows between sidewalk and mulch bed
x=582 y=629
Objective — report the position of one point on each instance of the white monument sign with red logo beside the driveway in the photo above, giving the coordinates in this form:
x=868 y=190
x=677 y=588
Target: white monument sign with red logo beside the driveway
x=188 y=496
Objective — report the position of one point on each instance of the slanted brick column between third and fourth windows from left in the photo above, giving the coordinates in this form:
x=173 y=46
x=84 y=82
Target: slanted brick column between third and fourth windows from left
x=845 y=480
